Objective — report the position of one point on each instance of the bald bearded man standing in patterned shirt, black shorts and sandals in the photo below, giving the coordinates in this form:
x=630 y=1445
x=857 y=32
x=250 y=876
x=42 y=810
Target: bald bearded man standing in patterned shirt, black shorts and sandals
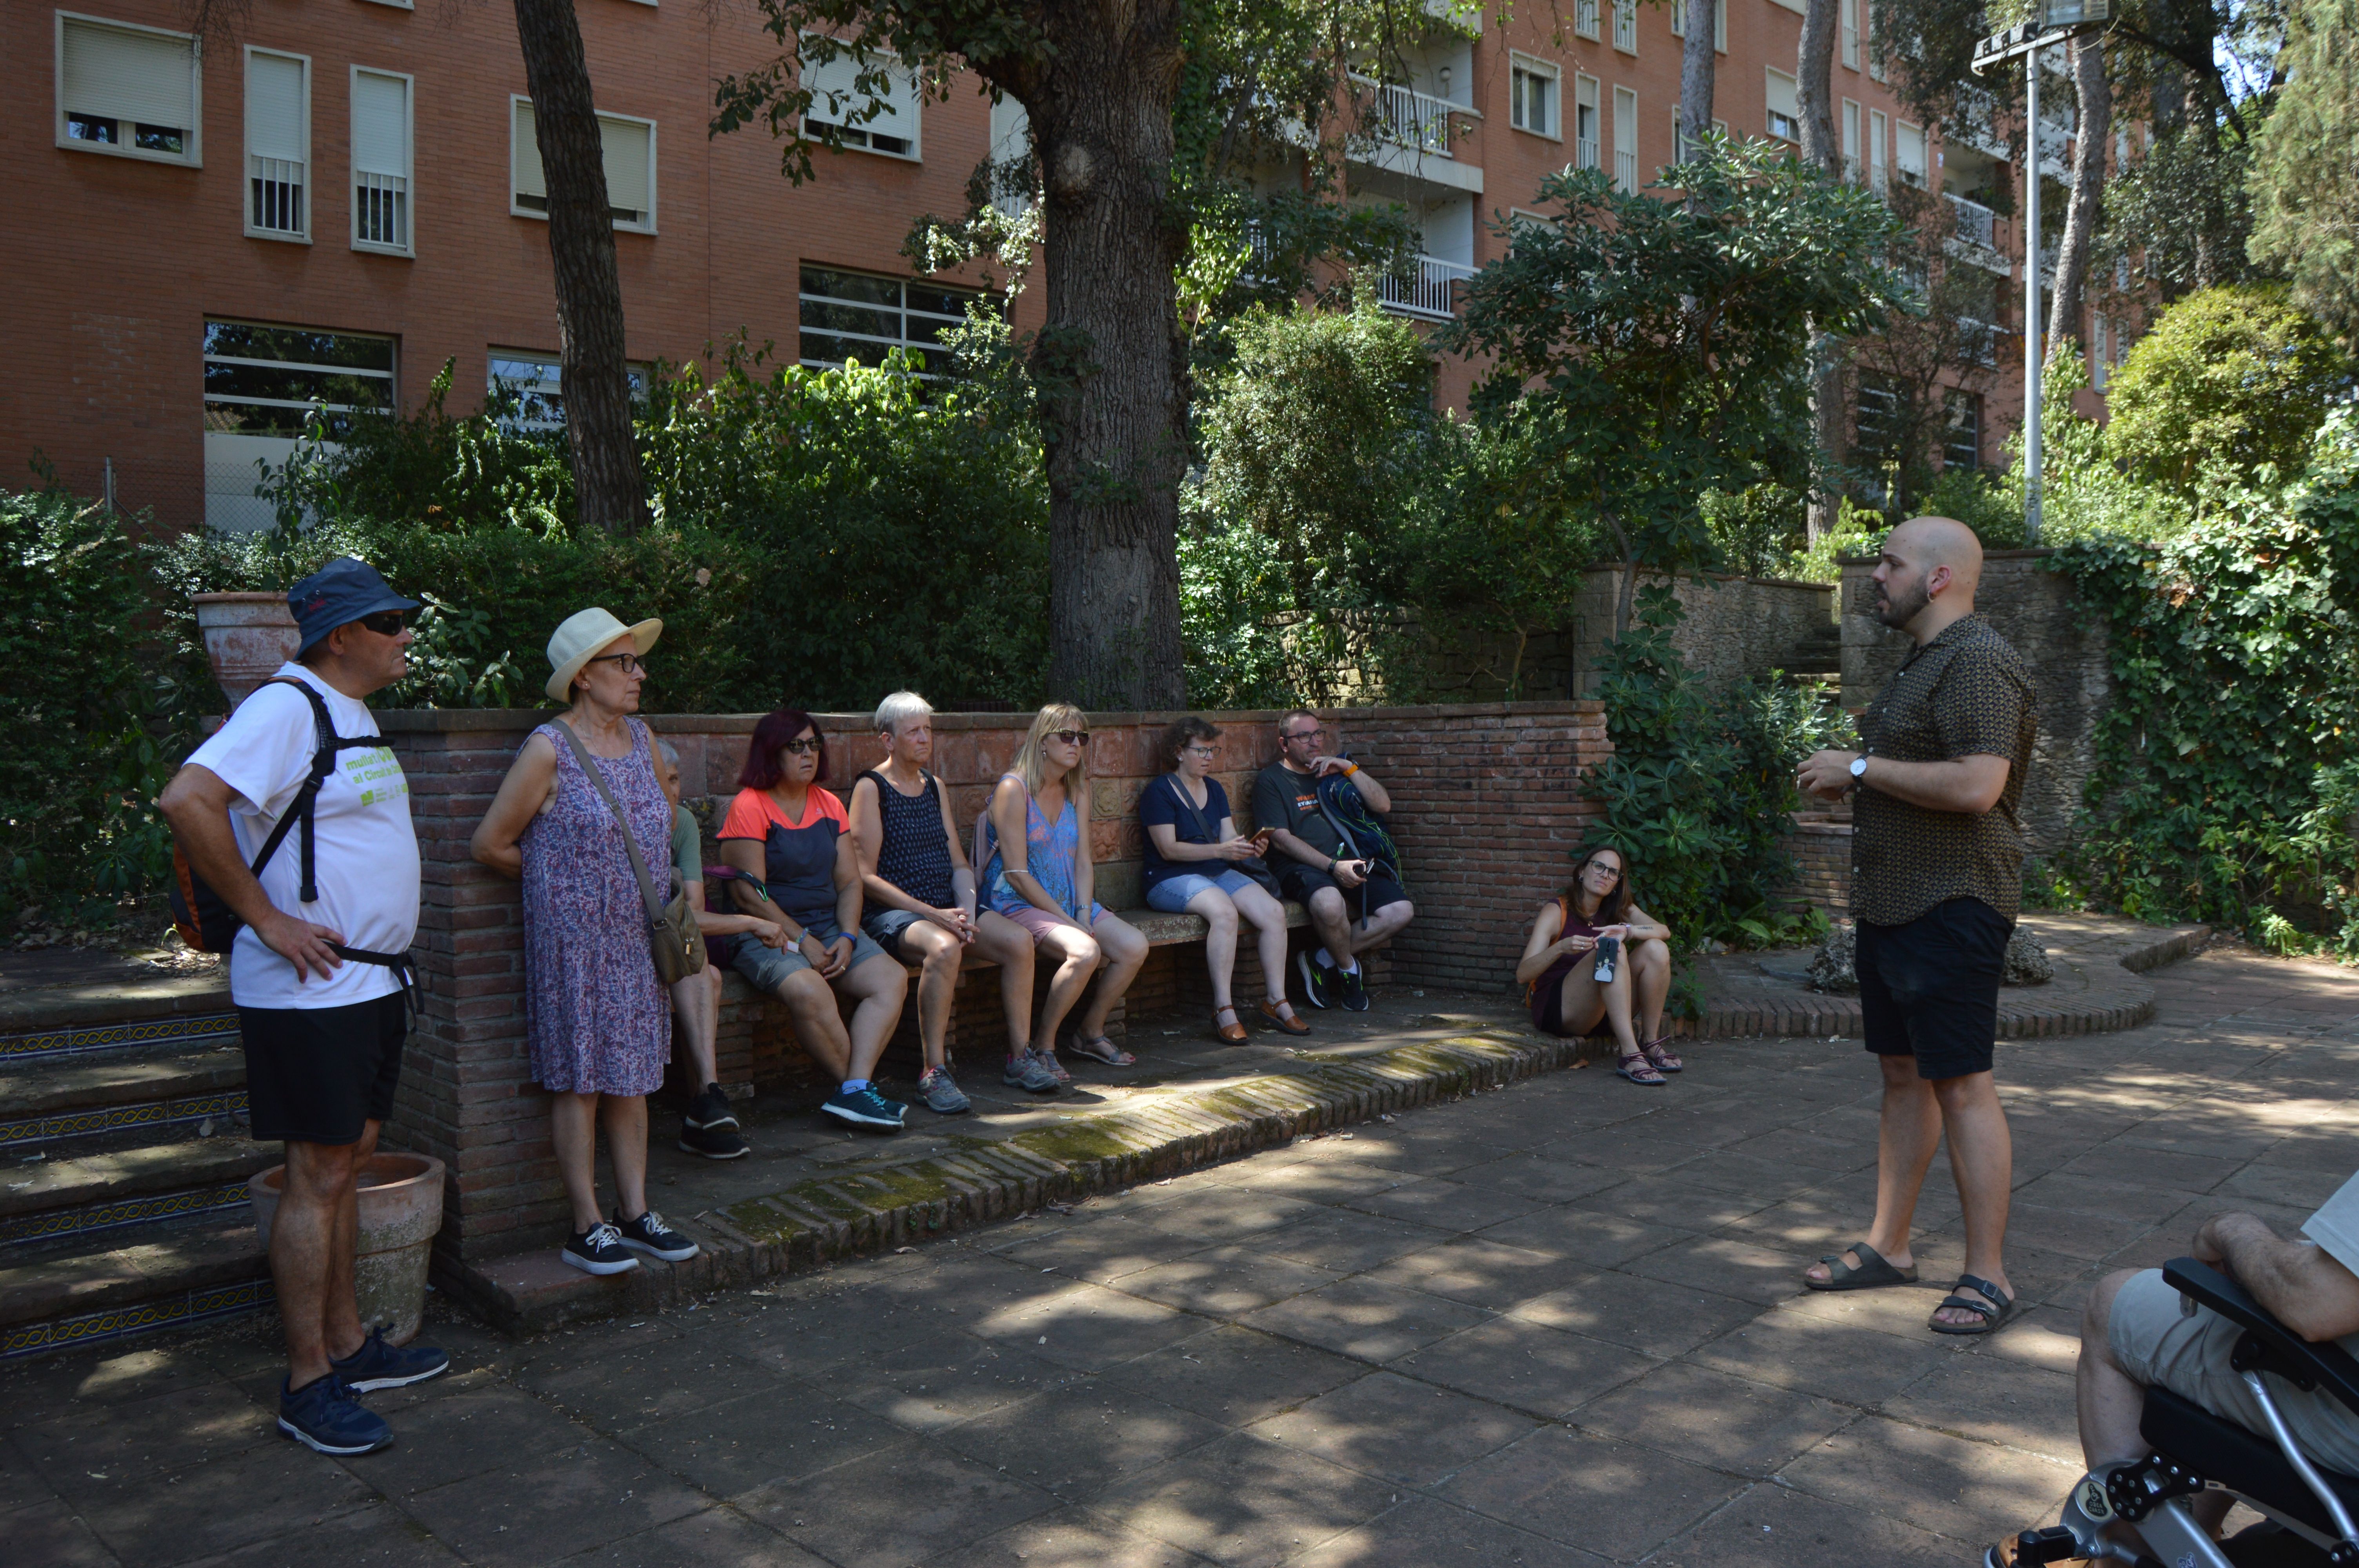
x=1938 y=859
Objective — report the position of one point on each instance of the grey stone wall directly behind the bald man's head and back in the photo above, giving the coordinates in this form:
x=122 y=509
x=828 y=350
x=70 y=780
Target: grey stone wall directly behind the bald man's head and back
x=2063 y=643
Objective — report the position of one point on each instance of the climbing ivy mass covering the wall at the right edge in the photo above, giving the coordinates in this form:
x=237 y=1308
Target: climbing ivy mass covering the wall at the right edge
x=2228 y=765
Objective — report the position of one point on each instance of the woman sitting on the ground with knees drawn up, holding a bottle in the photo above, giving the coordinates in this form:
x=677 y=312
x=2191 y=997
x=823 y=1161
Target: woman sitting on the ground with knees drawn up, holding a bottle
x=1560 y=968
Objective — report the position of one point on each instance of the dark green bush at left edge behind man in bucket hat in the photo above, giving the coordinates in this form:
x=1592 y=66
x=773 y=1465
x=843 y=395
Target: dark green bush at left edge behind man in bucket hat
x=81 y=709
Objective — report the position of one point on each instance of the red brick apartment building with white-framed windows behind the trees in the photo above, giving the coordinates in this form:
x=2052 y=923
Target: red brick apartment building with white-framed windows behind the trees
x=336 y=197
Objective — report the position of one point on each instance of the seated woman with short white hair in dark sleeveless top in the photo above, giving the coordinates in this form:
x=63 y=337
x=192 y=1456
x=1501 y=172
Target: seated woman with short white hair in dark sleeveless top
x=919 y=900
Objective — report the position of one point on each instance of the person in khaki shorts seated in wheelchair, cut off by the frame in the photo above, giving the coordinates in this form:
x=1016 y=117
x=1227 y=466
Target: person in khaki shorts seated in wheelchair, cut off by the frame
x=2134 y=1333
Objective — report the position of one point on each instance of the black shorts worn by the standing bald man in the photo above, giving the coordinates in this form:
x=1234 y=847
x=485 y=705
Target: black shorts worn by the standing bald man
x=1931 y=989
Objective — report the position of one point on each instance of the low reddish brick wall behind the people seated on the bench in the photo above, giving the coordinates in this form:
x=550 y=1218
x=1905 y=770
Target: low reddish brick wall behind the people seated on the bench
x=1485 y=808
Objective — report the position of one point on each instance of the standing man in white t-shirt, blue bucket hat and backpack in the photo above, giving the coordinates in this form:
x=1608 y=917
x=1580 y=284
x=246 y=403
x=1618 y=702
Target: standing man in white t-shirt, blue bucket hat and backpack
x=320 y=982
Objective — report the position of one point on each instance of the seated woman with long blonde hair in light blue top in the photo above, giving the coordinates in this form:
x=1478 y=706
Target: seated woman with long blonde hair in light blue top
x=1039 y=876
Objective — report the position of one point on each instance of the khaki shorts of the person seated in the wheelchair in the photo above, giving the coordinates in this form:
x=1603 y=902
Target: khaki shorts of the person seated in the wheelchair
x=2190 y=1355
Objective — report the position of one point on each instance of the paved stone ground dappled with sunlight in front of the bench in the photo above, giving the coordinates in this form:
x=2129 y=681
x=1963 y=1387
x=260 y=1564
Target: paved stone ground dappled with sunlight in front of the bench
x=1551 y=1324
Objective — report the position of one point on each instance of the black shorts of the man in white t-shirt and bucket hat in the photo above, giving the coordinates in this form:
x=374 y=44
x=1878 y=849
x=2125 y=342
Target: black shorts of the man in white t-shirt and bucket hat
x=315 y=1074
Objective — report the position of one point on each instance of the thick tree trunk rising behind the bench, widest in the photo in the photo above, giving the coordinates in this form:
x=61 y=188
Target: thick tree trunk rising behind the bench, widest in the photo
x=1112 y=360
